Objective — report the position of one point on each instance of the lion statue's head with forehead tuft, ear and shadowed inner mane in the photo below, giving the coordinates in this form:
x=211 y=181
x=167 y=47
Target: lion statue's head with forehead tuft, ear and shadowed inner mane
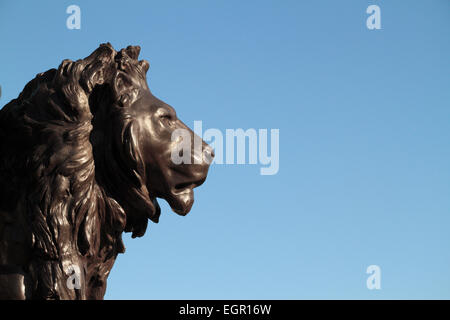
x=138 y=128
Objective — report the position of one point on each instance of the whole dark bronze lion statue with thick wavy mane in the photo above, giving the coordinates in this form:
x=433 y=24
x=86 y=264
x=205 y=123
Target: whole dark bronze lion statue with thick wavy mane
x=85 y=151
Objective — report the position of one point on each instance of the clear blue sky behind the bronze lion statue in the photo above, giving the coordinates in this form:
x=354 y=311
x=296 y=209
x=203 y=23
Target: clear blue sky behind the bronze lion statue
x=364 y=119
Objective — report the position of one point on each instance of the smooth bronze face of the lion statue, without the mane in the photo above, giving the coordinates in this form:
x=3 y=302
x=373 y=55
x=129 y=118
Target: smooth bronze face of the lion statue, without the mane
x=155 y=124
